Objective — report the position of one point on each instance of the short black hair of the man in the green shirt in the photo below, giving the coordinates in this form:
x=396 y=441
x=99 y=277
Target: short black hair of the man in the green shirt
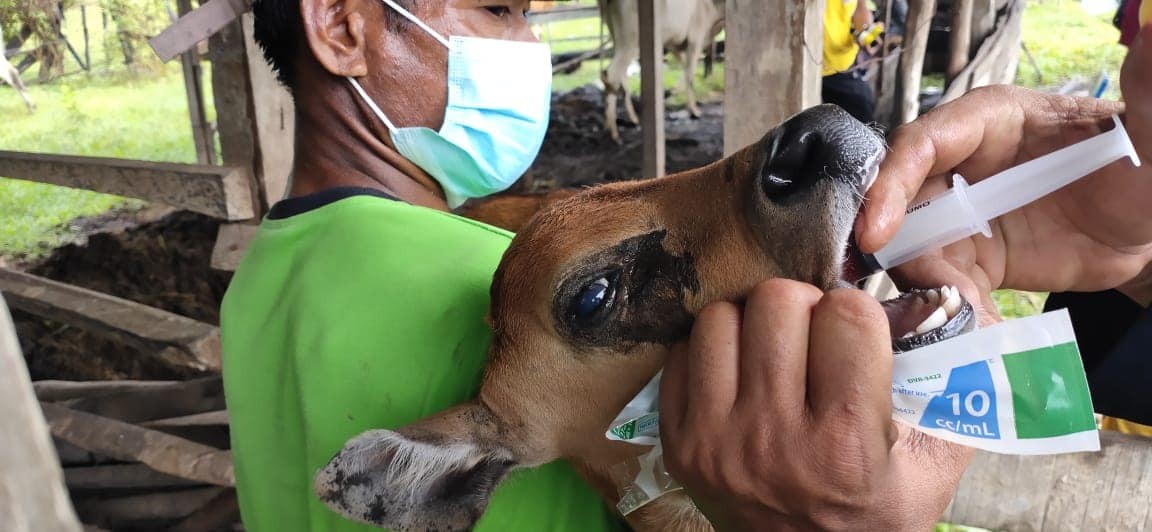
x=279 y=29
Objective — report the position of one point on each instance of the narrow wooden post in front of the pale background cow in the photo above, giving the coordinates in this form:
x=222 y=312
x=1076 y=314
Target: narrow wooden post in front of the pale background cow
x=653 y=87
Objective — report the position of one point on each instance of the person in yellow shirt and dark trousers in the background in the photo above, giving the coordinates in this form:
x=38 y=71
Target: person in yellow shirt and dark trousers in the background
x=843 y=85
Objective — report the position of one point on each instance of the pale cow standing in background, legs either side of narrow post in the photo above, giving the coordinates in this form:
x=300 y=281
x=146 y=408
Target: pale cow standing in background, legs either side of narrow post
x=687 y=28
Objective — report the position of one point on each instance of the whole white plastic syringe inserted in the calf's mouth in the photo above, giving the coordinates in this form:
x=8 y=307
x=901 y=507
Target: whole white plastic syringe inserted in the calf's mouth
x=966 y=210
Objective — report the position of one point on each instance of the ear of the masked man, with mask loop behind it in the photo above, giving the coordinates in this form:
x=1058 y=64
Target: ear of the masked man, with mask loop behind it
x=336 y=34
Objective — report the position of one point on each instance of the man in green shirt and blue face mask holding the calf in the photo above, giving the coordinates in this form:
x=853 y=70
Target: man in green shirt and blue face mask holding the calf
x=361 y=302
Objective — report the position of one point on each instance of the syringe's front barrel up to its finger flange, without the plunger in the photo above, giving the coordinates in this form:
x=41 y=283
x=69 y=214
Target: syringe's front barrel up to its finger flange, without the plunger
x=934 y=224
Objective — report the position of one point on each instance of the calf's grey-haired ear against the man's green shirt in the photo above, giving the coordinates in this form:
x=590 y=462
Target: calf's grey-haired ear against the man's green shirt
x=435 y=475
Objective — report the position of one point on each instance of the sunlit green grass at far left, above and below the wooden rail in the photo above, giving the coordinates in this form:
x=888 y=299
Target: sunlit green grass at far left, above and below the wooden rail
x=122 y=117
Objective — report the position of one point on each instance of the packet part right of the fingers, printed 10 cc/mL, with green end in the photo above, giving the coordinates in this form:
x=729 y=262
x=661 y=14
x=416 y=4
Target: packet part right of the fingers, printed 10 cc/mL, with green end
x=1017 y=387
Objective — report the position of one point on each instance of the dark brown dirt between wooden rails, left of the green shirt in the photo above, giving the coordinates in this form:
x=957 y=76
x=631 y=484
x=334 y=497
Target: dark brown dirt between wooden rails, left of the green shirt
x=163 y=264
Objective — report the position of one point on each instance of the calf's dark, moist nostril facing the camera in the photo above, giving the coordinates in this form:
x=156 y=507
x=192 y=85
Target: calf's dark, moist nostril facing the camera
x=793 y=162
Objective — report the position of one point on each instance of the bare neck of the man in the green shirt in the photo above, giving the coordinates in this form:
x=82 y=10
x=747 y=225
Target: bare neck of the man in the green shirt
x=347 y=151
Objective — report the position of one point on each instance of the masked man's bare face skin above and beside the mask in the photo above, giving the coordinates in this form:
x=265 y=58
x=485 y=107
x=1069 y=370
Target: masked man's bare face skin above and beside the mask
x=408 y=69
